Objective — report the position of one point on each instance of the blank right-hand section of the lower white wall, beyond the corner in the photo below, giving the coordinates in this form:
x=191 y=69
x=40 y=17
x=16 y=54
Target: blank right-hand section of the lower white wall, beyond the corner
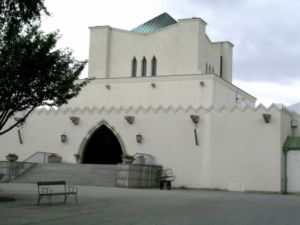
x=249 y=156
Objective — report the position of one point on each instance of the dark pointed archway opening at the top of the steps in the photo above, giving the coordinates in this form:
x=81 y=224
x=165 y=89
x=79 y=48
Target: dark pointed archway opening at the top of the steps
x=103 y=147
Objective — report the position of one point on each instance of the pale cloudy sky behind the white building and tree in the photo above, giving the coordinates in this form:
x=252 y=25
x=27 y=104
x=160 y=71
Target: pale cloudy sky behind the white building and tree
x=265 y=34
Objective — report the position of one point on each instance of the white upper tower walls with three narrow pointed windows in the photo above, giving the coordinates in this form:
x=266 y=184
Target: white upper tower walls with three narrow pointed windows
x=182 y=48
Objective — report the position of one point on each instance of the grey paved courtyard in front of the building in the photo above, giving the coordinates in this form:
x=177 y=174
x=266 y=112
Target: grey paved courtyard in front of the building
x=101 y=205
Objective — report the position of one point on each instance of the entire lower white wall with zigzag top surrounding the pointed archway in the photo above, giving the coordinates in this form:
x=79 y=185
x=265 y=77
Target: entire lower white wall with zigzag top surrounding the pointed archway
x=237 y=150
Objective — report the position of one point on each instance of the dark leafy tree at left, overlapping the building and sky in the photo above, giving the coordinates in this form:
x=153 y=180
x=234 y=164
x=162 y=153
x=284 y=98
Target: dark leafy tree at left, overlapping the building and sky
x=33 y=72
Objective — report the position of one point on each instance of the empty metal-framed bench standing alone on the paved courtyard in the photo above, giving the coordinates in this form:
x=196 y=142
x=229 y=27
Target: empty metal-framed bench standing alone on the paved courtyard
x=51 y=188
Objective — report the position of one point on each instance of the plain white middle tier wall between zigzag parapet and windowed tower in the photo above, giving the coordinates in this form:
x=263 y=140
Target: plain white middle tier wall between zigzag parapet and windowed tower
x=169 y=91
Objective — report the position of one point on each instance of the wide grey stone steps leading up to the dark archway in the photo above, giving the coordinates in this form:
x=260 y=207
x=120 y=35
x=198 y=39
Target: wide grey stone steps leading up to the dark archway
x=79 y=174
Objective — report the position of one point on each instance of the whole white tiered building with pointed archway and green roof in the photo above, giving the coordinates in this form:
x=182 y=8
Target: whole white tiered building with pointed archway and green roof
x=176 y=86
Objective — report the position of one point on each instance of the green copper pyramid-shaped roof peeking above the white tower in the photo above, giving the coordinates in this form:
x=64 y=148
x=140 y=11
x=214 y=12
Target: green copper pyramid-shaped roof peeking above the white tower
x=163 y=20
